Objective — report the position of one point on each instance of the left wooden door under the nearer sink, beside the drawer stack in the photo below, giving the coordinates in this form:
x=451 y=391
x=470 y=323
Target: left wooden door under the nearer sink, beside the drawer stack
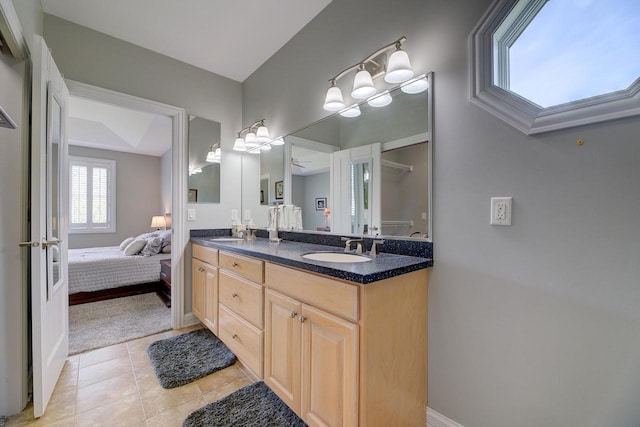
x=282 y=347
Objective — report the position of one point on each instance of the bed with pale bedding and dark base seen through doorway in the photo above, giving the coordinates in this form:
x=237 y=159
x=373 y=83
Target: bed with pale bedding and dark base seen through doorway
x=107 y=272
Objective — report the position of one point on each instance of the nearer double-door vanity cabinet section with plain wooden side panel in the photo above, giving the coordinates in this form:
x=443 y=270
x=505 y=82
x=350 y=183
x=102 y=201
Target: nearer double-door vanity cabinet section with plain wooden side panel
x=343 y=354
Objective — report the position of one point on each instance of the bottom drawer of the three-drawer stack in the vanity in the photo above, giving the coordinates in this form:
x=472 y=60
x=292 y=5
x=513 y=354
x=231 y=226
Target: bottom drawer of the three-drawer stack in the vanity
x=242 y=338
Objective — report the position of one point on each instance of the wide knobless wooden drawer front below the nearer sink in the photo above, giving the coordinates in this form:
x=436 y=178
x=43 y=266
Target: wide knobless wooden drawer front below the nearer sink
x=330 y=295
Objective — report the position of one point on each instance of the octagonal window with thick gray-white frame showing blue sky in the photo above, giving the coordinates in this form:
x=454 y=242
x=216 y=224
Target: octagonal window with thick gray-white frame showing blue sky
x=543 y=65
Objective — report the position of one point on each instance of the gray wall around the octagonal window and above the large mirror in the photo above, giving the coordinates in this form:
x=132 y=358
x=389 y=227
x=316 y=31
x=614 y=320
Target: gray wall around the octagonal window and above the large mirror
x=529 y=325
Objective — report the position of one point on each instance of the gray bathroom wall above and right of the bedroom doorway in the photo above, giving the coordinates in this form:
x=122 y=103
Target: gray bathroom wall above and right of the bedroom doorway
x=91 y=57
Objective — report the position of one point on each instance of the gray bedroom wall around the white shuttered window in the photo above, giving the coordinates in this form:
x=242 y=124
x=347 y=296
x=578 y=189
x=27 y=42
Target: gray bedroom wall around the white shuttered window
x=138 y=196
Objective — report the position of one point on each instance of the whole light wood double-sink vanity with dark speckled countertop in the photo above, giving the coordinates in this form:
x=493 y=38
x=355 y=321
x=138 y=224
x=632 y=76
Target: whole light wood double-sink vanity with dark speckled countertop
x=343 y=344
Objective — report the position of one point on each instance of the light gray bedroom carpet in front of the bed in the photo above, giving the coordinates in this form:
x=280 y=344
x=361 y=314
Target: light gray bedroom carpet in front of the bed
x=99 y=324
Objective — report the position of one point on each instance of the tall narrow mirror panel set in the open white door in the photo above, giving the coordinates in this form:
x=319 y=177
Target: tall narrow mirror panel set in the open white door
x=54 y=168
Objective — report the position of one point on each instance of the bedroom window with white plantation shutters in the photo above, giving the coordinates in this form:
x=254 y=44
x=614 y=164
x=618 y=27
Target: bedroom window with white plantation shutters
x=92 y=200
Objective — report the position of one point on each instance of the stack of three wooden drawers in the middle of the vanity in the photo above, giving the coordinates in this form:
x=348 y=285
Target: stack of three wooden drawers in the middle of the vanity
x=241 y=297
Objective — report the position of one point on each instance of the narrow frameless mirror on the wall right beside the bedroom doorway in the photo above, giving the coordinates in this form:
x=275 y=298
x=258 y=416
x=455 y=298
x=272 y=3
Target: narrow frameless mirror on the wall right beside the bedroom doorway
x=204 y=176
